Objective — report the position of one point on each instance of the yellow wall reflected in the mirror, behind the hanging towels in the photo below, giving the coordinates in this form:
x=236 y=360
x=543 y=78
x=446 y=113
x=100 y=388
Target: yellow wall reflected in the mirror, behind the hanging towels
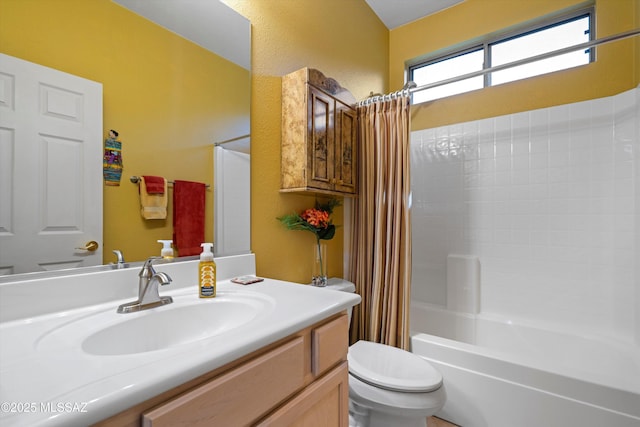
x=167 y=97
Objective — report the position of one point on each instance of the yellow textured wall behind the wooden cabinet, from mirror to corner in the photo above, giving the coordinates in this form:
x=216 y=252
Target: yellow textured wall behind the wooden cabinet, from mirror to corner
x=345 y=40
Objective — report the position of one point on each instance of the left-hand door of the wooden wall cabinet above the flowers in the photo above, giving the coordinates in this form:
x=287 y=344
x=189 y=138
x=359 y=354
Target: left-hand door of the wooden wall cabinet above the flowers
x=320 y=140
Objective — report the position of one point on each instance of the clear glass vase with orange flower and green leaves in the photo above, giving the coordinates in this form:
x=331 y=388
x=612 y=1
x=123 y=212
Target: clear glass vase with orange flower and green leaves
x=318 y=221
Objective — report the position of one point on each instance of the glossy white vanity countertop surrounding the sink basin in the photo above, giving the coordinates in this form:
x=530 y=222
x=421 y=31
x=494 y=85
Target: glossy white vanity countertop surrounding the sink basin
x=53 y=382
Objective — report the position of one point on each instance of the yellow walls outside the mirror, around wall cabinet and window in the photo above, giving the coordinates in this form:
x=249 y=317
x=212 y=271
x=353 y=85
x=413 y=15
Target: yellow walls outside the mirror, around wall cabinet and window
x=345 y=40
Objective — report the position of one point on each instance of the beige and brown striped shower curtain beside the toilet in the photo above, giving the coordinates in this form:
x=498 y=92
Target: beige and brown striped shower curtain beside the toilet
x=381 y=227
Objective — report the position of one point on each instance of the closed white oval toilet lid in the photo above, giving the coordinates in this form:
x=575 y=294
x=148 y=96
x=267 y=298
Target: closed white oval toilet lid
x=392 y=368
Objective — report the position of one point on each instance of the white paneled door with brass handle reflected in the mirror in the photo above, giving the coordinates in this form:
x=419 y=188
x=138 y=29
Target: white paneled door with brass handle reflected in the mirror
x=50 y=168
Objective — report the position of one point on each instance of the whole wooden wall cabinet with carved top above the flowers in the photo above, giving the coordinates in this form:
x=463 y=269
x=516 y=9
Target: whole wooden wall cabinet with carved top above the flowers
x=319 y=135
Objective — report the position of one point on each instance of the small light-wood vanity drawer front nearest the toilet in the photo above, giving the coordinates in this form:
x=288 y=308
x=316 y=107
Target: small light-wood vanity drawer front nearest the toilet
x=329 y=344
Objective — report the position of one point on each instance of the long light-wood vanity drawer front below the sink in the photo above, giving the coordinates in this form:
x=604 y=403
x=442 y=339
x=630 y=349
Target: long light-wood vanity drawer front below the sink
x=240 y=396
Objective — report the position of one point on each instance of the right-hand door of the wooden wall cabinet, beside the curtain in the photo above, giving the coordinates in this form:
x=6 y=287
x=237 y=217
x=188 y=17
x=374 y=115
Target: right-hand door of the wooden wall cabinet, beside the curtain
x=345 y=149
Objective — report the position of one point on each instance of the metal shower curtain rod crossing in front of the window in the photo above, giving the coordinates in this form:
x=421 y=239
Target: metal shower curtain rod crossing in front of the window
x=411 y=86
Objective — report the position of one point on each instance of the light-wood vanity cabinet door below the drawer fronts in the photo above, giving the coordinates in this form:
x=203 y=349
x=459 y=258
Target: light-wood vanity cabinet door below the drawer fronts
x=325 y=403
